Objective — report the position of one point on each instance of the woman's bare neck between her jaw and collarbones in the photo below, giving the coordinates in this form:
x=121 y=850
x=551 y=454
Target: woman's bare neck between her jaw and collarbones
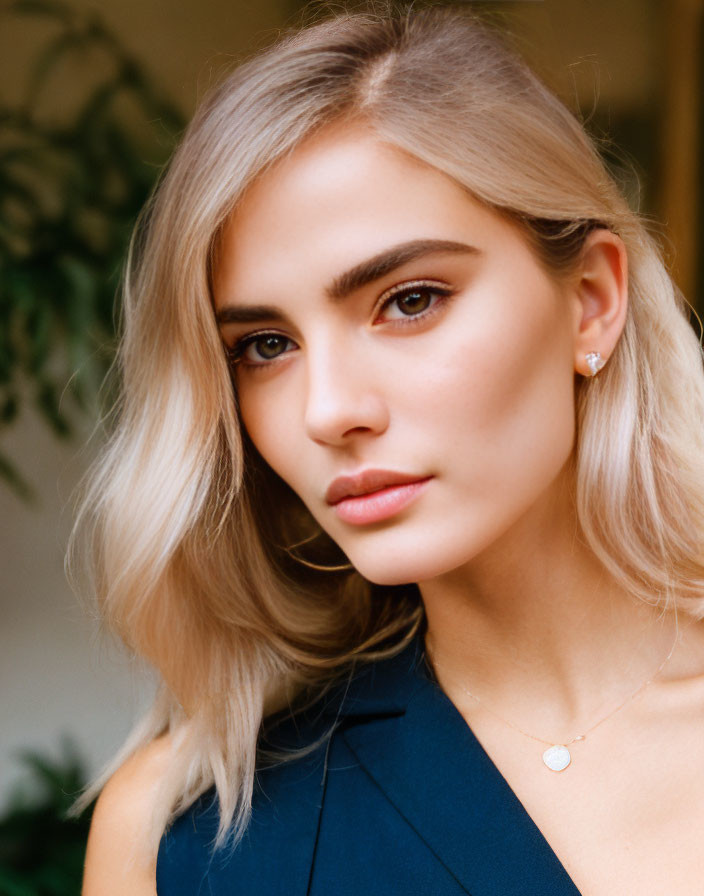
x=539 y=631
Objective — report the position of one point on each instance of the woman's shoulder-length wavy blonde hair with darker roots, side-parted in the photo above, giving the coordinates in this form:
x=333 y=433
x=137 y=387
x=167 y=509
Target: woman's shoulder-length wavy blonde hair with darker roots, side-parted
x=186 y=530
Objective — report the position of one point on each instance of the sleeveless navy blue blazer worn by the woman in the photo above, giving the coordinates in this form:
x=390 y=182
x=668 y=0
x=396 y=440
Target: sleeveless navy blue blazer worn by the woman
x=401 y=799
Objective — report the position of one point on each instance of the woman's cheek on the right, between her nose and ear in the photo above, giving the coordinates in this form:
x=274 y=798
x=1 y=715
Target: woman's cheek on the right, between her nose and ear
x=506 y=394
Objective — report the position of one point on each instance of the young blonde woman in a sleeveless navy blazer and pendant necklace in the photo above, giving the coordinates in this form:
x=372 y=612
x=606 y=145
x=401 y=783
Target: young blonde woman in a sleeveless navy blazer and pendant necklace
x=405 y=496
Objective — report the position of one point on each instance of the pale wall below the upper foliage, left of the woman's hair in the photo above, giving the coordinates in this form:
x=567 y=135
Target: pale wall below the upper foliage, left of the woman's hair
x=56 y=677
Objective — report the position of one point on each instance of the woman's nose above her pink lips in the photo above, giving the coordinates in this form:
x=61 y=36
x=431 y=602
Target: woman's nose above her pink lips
x=344 y=395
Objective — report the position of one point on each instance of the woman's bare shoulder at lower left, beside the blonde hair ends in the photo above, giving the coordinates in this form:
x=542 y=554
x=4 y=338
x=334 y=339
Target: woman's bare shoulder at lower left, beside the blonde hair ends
x=117 y=861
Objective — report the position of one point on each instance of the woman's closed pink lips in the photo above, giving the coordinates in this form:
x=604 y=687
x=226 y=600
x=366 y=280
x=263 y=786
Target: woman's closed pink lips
x=373 y=495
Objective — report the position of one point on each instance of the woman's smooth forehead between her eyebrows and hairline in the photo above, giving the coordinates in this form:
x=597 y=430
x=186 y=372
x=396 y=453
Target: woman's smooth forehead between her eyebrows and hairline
x=341 y=196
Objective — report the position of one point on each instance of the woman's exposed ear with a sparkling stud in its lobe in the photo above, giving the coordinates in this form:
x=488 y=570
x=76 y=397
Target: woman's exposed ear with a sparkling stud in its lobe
x=600 y=296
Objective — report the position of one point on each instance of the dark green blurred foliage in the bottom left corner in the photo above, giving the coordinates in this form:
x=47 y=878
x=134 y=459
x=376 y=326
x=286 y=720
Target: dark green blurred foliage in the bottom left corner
x=42 y=850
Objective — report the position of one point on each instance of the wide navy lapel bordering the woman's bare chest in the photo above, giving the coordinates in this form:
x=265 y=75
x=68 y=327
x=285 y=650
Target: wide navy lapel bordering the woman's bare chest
x=417 y=747
